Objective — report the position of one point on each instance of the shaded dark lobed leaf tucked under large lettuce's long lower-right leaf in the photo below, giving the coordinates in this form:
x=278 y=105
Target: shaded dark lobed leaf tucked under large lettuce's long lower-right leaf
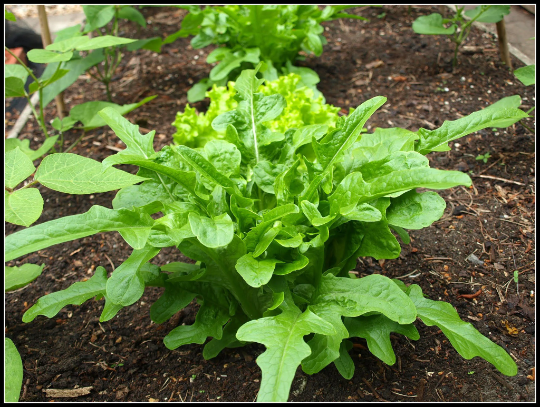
x=376 y=330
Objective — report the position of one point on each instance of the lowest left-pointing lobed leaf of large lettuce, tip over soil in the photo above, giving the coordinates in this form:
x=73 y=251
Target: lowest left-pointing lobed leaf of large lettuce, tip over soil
x=51 y=304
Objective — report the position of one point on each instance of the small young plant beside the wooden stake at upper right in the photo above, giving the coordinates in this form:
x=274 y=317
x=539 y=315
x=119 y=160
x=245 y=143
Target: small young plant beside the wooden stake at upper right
x=458 y=27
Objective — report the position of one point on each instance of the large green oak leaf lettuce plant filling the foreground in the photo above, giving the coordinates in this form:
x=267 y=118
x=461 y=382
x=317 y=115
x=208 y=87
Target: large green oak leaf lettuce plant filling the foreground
x=274 y=222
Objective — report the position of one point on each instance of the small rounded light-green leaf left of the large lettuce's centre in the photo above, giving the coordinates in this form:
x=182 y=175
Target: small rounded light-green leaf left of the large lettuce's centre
x=212 y=232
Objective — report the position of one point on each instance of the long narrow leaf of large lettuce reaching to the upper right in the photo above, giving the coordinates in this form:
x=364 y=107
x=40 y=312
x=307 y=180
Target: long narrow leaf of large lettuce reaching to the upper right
x=491 y=116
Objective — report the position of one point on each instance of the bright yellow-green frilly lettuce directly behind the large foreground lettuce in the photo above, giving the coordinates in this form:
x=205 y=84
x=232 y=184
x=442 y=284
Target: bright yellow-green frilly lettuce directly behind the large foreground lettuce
x=303 y=108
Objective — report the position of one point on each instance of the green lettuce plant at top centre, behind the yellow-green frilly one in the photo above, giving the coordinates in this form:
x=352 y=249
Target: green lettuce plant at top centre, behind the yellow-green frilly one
x=248 y=34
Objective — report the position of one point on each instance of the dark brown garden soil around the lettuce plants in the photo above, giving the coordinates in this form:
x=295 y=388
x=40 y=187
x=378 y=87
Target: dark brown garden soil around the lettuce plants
x=125 y=359
